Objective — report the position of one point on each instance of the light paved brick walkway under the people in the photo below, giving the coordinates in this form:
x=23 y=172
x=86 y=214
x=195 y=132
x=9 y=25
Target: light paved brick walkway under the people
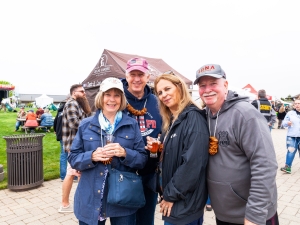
x=39 y=205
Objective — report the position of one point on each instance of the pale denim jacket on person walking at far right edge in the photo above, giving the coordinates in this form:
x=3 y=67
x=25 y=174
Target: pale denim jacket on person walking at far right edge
x=294 y=130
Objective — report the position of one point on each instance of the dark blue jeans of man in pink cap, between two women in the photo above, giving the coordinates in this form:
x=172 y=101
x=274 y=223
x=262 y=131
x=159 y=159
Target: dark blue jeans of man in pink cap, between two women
x=145 y=215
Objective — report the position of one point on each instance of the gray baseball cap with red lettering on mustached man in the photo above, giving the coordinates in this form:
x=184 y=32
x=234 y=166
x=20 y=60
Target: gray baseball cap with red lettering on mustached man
x=212 y=70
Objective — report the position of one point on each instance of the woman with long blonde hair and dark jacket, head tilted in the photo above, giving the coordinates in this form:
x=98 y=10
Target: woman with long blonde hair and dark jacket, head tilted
x=185 y=153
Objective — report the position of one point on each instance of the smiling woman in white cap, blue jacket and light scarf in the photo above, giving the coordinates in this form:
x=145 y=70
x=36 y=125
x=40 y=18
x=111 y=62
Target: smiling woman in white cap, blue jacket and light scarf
x=90 y=155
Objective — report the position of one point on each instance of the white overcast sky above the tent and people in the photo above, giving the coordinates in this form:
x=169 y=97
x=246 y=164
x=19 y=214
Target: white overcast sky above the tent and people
x=46 y=46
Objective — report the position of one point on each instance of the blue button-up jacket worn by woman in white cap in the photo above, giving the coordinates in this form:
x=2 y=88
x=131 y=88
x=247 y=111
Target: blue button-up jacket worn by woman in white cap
x=87 y=200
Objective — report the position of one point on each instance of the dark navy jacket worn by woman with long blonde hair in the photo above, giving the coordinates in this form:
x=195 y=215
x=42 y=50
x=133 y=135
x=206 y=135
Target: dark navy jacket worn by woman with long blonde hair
x=185 y=157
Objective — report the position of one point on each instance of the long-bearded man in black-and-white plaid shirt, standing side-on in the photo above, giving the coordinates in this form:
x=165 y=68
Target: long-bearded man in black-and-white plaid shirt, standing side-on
x=76 y=109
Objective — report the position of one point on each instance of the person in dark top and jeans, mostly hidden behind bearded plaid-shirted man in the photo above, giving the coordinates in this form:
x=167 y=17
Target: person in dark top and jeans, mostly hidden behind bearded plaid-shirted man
x=57 y=126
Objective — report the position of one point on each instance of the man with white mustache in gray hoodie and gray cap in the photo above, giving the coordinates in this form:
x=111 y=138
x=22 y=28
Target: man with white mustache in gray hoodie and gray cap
x=242 y=165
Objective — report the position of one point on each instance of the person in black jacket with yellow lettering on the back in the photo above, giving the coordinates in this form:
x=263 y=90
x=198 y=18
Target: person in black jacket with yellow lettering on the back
x=265 y=108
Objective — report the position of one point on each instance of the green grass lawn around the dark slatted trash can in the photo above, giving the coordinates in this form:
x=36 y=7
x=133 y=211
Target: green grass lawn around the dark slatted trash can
x=51 y=147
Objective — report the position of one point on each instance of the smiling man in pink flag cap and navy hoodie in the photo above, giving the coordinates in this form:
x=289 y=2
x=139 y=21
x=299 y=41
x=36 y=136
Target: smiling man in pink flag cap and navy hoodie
x=143 y=107
